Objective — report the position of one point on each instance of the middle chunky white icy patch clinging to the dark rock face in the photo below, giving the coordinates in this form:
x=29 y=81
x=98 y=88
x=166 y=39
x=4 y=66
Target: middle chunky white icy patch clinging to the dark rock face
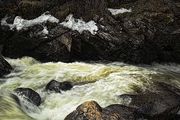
x=80 y=25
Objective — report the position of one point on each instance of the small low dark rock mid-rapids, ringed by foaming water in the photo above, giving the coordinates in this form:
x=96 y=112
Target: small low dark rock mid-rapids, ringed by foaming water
x=58 y=86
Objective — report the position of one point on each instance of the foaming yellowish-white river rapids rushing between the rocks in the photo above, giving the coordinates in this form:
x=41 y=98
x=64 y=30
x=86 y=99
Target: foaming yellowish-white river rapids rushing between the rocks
x=94 y=81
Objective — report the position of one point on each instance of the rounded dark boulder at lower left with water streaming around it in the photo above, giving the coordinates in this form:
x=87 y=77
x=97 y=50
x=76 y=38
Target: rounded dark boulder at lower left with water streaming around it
x=29 y=94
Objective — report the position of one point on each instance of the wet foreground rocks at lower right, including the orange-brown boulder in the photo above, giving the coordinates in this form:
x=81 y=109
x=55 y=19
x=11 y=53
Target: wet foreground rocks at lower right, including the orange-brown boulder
x=161 y=103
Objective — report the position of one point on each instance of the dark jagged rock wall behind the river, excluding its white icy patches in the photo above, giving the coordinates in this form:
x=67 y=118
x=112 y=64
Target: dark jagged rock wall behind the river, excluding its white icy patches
x=150 y=33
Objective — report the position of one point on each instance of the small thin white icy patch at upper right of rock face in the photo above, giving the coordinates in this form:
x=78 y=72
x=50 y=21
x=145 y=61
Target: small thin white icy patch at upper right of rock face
x=119 y=11
